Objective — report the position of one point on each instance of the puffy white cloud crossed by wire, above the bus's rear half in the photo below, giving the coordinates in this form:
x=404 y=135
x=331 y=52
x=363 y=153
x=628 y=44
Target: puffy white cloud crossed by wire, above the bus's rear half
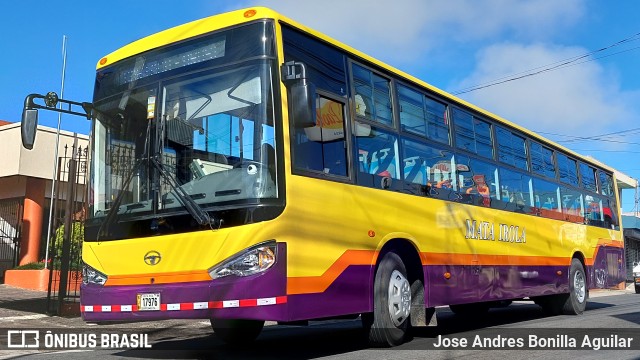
x=584 y=99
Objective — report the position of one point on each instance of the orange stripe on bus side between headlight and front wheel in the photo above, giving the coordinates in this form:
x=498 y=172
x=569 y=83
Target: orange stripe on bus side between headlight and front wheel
x=316 y=284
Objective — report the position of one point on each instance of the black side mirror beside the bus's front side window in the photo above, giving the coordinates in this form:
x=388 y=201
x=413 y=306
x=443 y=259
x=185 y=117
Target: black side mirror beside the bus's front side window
x=302 y=94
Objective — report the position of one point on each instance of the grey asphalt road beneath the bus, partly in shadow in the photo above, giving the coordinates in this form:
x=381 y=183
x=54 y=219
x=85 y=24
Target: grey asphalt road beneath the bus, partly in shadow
x=606 y=315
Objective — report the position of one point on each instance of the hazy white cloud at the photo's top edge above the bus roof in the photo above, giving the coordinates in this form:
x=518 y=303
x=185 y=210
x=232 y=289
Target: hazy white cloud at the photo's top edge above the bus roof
x=403 y=30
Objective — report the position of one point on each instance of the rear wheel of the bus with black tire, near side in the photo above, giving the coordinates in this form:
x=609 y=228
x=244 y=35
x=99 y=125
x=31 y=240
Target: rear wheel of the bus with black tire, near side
x=572 y=303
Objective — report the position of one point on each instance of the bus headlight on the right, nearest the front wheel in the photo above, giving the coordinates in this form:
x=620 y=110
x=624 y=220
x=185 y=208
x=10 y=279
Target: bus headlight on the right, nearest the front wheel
x=249 y=262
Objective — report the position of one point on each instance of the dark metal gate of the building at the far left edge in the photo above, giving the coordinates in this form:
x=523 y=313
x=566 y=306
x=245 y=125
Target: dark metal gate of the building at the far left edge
x=10 y=225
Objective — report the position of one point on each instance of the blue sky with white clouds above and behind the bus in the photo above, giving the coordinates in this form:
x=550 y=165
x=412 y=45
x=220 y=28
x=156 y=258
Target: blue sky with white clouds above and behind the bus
x=453 y=45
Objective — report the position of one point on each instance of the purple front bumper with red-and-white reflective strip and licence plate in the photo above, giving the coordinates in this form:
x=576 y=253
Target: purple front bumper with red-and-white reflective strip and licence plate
x=260 y=297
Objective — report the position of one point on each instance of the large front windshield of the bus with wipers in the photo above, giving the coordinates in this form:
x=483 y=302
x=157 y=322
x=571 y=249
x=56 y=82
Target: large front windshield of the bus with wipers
x=200 y=137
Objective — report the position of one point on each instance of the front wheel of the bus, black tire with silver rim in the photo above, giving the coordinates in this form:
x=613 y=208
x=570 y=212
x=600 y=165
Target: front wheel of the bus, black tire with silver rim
x=389 y=323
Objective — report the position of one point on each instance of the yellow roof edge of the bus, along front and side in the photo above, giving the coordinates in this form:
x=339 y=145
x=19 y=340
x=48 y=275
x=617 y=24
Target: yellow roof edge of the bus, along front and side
x=216 y=22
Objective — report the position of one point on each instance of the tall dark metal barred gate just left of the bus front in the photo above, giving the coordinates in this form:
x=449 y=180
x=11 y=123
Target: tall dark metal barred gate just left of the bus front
x=65 y=247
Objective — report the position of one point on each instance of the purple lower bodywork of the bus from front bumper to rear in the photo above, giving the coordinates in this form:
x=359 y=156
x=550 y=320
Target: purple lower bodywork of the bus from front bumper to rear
x=350 y=293
